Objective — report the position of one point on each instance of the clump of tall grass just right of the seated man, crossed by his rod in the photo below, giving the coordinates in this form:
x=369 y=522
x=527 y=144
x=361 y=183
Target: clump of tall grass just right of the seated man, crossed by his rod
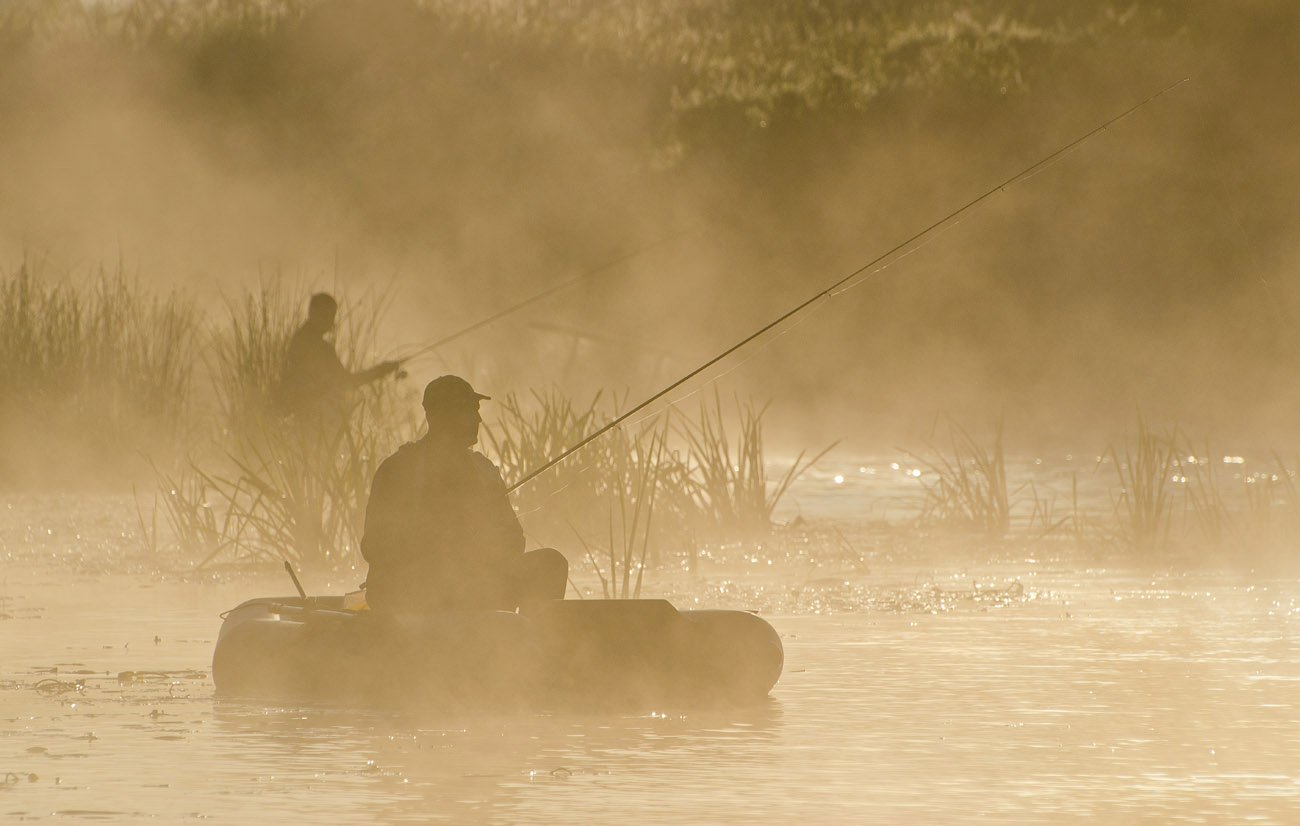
x=695 y=477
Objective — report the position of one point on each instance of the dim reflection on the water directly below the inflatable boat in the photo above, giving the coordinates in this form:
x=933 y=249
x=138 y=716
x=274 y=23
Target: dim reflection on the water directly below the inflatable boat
x=423 y=768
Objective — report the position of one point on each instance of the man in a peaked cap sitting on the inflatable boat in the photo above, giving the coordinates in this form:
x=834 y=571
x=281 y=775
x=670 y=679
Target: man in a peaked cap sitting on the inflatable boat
x=440 y=530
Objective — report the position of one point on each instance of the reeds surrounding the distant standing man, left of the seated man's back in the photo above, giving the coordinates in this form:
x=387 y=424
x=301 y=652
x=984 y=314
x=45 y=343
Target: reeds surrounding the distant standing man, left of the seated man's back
x=287 y=488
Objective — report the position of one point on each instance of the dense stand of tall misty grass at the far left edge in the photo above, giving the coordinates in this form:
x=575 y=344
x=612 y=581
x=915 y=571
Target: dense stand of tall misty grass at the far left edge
x=93 y=371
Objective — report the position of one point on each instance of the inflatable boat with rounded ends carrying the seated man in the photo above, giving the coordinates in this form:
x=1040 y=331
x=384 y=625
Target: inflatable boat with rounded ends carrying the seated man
x=578 y=654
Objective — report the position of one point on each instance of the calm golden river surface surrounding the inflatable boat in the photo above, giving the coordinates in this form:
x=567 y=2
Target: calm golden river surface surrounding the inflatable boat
x=1022 y=693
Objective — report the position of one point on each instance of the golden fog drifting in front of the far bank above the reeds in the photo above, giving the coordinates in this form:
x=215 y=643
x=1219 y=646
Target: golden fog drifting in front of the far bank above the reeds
x=465 y=162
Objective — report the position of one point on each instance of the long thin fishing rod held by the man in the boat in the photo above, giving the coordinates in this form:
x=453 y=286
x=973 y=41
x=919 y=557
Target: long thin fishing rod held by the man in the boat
x=831 y=291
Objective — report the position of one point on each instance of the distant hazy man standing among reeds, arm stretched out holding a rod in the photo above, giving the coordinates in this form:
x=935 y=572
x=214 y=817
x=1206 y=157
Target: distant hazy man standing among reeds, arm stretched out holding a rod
x=315 y=382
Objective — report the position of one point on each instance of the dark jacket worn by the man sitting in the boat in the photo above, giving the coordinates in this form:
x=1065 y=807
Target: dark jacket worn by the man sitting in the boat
x=440 y=533
